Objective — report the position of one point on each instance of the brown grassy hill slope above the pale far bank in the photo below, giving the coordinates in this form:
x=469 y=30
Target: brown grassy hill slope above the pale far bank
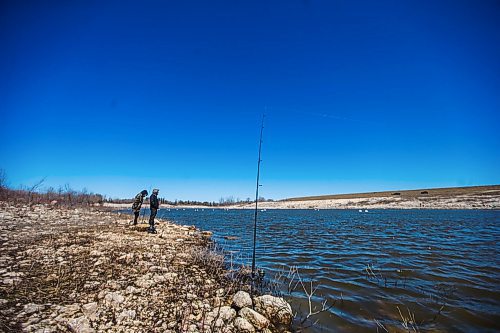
x=407 y=194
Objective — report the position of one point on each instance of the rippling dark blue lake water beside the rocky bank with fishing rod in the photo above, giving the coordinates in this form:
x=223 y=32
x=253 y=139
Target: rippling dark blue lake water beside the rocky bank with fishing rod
x=372 y=263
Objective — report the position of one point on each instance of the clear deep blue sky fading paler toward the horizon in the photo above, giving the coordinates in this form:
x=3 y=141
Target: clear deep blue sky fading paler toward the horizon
x=360 y=95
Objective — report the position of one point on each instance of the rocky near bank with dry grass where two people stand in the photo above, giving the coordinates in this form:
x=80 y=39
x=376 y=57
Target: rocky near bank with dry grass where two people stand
x=83 y=270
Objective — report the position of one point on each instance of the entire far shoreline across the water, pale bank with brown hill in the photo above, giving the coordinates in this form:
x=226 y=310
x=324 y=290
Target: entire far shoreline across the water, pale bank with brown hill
x=474 y=197
